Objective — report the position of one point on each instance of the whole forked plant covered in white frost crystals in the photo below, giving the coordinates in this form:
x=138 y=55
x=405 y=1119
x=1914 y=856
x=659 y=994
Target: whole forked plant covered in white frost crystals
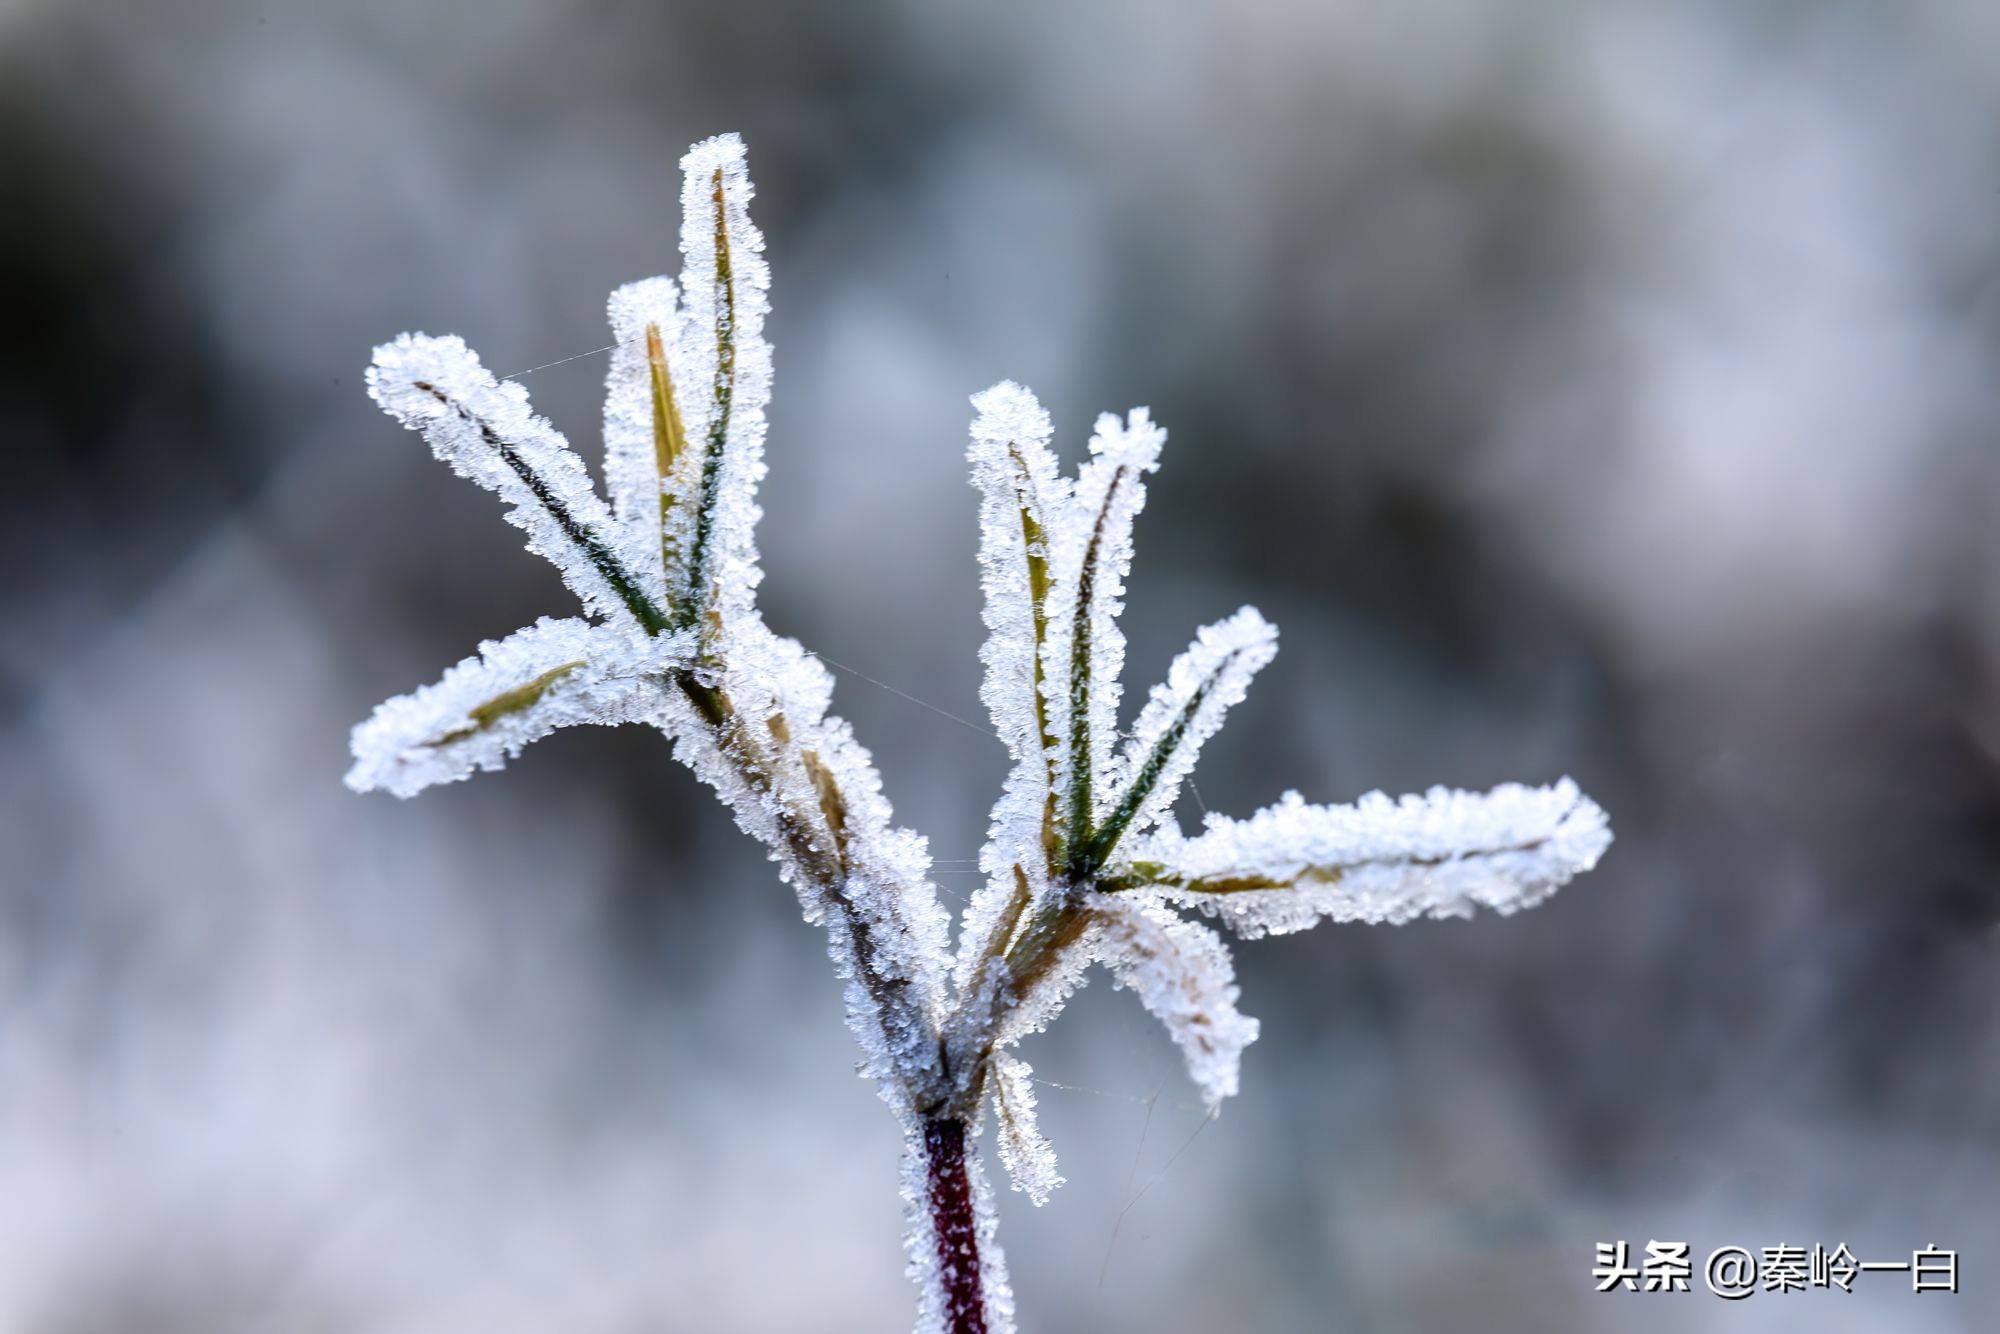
x=1083 y=863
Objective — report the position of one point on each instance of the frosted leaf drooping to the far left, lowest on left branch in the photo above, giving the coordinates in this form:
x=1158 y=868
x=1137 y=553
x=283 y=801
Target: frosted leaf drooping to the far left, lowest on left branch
x=515 y=691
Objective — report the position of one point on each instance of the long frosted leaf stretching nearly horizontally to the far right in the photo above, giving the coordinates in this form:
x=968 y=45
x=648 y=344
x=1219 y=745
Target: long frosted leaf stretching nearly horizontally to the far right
x=1439 y=855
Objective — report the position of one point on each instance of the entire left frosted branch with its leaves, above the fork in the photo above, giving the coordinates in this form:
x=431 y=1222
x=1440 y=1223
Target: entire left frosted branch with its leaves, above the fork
x=671 y=569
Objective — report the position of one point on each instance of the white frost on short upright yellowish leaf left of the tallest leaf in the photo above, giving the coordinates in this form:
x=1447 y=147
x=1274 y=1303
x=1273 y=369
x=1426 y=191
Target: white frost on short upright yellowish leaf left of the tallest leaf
x=631 y=461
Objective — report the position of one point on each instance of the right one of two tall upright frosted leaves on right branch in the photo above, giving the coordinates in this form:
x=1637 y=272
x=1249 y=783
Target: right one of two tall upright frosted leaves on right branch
x=1095 y=543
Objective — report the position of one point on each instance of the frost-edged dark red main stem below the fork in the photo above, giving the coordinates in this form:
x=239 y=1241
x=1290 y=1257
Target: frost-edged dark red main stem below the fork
x=931 y=1265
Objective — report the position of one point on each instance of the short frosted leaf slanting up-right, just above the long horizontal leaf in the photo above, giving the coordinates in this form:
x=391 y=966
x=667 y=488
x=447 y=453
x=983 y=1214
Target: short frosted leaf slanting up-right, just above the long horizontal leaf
x=1201 y=689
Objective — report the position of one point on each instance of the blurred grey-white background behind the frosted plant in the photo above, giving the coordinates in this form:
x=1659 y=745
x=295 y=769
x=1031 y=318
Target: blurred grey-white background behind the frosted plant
x=1595 y=389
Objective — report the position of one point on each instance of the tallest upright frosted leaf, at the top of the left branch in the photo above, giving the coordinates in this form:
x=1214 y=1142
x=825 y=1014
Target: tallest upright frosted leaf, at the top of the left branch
x=737 y=311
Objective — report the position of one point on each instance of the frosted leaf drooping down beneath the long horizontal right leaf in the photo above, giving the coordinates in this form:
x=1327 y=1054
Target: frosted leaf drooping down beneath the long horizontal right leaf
x=1183 y=975
